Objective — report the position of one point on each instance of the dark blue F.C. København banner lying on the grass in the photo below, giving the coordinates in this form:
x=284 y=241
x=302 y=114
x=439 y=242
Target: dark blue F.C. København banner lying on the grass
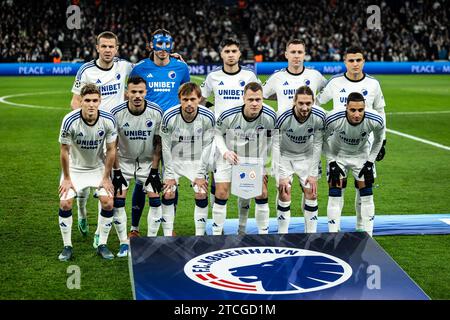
x=322 y=266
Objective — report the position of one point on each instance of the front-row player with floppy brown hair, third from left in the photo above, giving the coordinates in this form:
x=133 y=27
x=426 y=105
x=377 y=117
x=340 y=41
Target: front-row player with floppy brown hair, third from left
x=187 y=132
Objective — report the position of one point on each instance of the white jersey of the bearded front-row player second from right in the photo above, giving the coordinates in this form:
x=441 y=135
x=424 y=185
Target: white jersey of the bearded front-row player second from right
x=301 y=138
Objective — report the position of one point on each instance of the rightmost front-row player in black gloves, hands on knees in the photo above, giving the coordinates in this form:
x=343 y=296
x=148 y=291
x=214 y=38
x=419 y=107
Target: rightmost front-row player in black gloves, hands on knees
x=347 y=148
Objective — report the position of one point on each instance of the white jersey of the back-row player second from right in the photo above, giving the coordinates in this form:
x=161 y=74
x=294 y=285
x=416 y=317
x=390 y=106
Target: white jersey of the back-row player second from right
x=284 y=84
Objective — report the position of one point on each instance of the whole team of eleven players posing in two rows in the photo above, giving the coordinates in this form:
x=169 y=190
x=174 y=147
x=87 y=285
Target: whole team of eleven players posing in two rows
x=148 y=121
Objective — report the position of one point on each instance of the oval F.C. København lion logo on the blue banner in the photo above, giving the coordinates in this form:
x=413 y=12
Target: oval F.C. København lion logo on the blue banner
x=268 y=270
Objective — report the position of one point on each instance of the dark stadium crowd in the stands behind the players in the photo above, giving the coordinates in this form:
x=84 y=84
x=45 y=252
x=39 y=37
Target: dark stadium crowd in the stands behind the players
x=410 y=31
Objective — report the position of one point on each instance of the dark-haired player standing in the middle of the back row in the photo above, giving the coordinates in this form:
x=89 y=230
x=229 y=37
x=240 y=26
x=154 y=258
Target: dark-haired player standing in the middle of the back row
x=227 y=84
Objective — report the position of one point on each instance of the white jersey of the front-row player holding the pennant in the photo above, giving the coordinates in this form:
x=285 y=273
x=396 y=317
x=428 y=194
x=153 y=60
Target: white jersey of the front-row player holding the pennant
x=247 y=138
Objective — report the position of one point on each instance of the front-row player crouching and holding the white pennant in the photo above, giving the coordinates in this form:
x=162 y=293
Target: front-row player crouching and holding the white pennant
x=239 y=132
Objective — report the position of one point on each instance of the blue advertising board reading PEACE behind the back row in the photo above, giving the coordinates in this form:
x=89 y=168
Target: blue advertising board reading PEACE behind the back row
x=66 y=69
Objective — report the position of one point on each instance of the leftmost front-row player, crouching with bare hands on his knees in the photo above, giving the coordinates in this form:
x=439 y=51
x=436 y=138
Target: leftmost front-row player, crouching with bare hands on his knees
x=83 y=135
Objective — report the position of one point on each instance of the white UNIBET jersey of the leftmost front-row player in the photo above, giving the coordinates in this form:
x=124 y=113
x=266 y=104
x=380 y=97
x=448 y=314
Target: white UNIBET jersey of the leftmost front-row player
x=86 y=141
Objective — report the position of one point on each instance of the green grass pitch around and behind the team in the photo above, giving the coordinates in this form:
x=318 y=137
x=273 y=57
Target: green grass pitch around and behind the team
x=414 y=178
